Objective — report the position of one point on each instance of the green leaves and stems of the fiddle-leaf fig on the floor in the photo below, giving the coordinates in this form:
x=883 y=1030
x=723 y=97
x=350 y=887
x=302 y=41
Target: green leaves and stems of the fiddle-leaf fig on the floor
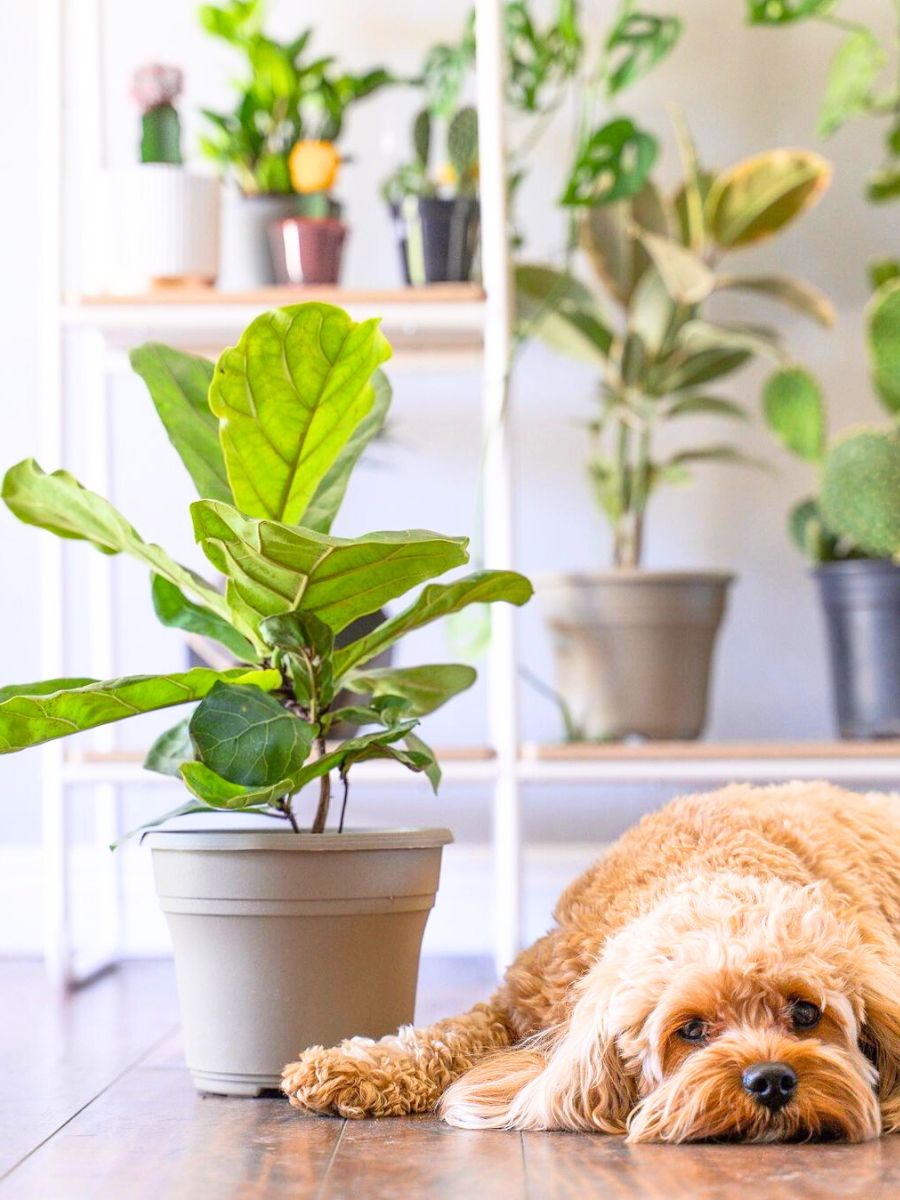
x=269 y=436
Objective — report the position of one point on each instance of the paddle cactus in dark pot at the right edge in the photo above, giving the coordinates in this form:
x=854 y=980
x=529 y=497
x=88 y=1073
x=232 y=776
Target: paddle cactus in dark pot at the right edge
x=851 y=529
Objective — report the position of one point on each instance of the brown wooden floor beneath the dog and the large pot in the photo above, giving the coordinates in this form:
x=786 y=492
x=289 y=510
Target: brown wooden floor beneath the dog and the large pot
x=95 y=1103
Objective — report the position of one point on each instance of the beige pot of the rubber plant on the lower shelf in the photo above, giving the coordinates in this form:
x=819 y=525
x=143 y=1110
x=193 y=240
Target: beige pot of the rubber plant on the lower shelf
x=634 y=649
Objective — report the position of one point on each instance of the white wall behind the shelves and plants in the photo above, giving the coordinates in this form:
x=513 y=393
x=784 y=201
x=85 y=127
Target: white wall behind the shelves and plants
x=743 y=91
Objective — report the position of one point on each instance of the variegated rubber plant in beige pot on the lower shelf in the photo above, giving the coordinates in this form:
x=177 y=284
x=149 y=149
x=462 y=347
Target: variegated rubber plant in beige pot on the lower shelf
x=634 y=646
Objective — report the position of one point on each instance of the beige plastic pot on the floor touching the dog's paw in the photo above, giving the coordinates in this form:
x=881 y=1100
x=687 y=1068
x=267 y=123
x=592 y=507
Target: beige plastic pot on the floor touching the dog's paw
x=285 y=941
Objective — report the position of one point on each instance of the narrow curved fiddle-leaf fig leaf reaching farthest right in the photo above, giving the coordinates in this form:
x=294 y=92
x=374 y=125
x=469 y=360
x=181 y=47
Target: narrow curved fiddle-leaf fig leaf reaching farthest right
x=435 y=602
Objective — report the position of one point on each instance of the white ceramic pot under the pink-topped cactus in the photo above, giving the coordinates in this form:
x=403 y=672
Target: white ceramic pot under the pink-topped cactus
x=161 y=227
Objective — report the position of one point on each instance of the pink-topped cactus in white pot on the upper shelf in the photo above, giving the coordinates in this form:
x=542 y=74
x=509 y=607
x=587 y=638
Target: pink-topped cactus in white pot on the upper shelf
x=163 y=223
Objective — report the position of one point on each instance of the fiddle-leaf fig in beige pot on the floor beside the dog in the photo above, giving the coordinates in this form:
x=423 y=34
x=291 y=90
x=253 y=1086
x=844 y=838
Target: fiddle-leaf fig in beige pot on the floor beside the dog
x=274 y=929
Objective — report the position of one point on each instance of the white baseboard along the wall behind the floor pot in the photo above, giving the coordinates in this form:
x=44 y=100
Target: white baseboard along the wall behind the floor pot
x=461 y=922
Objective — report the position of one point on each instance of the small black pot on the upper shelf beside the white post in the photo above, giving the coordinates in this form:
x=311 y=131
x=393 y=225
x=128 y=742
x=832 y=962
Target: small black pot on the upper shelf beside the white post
x=437 y=238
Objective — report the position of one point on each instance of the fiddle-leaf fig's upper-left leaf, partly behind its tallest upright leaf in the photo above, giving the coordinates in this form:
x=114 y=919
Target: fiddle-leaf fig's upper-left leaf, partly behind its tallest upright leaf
x=179 y=388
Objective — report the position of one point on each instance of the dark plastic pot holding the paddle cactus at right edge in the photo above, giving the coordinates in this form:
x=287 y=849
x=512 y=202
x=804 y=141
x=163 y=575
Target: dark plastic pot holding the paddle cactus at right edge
x=862 y=608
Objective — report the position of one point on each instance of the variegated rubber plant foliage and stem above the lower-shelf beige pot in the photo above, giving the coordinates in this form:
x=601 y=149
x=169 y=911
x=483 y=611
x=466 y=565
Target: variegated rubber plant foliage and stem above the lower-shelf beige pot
x=658 y=260
